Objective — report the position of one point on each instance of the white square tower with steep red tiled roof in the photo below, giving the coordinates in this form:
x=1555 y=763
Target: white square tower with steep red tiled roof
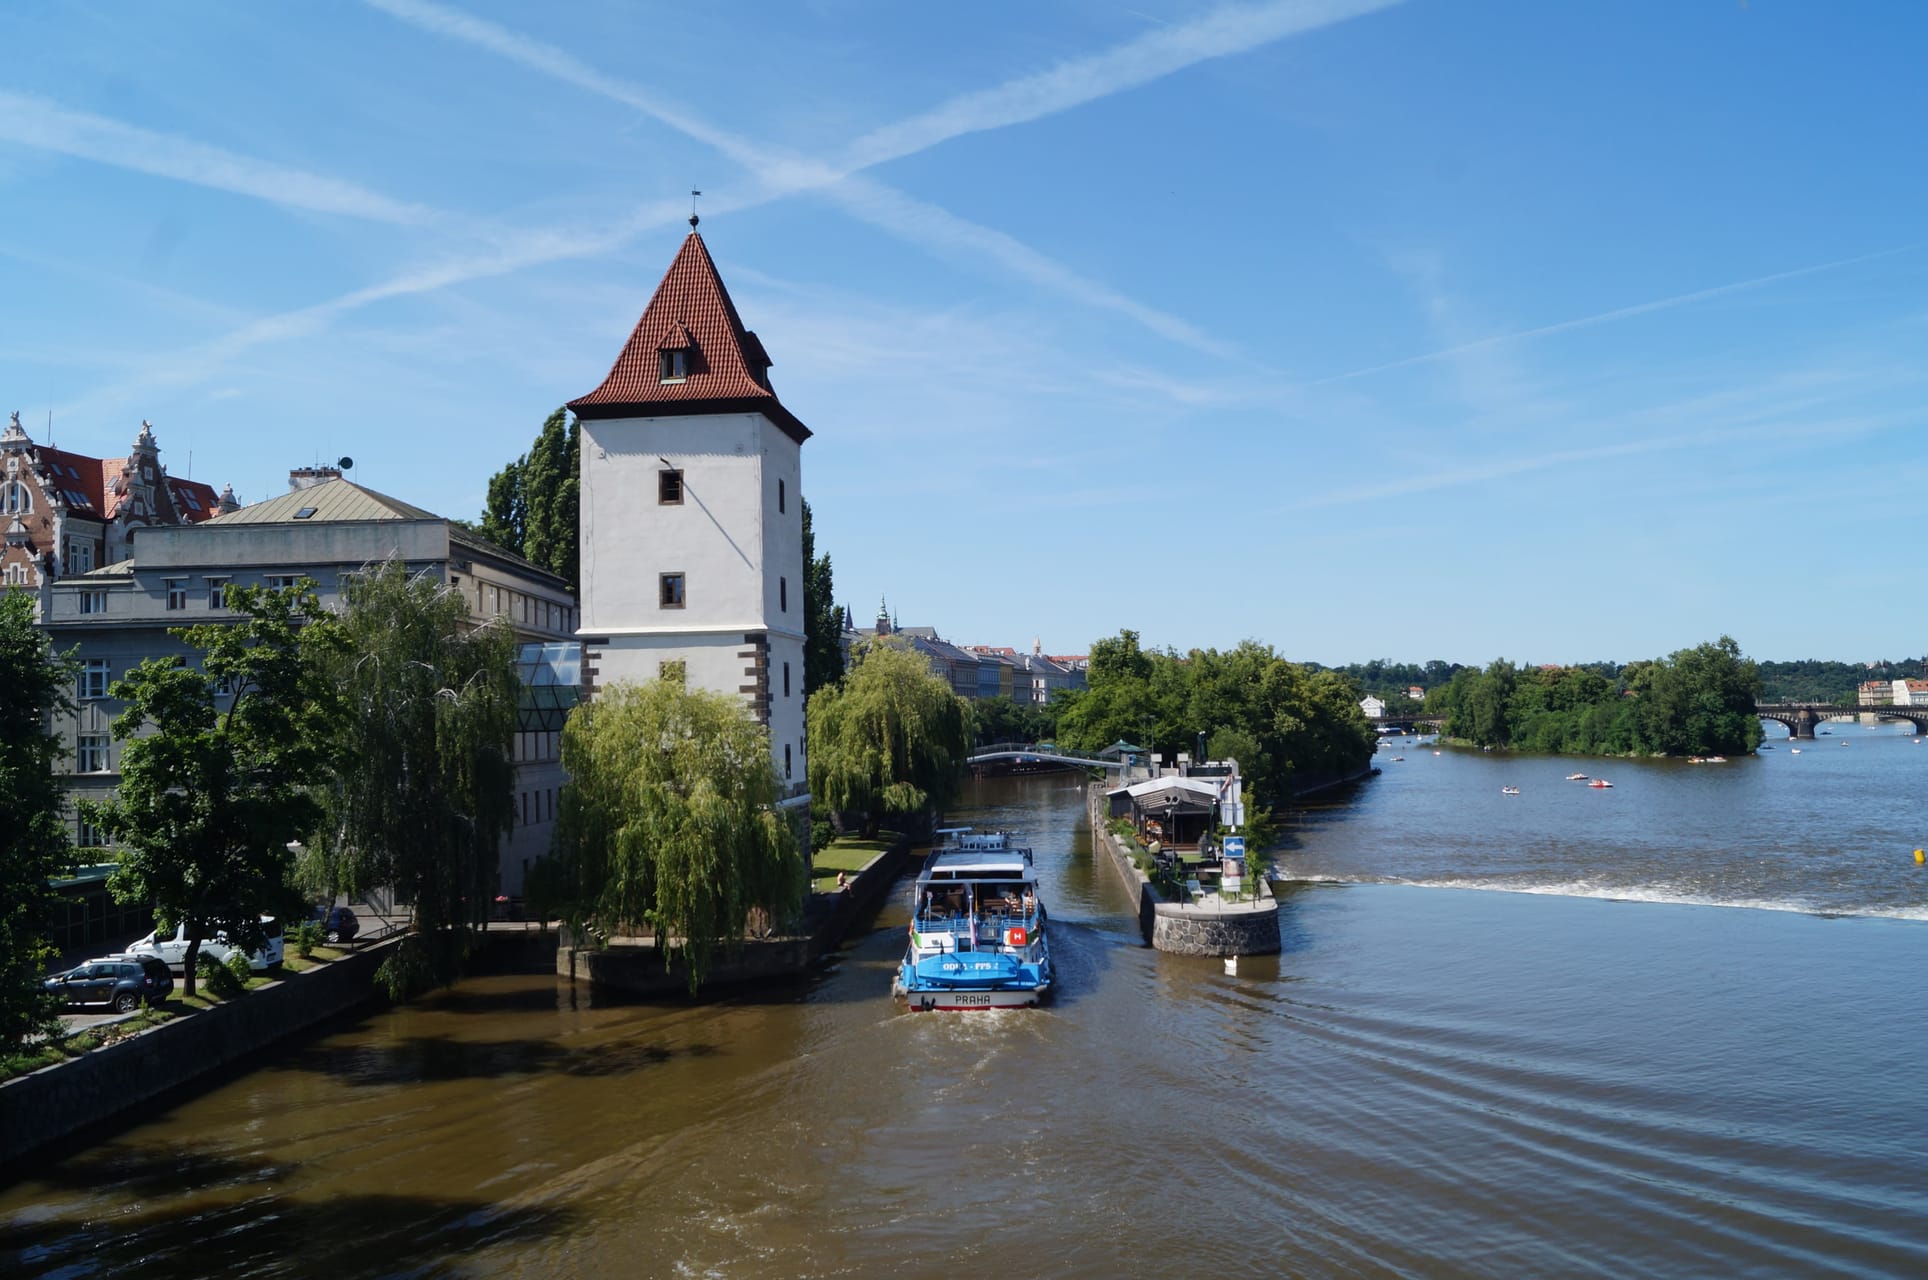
x=691 y=512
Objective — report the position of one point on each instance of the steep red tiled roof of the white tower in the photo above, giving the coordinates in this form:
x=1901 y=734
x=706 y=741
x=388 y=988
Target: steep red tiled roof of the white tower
x=728 y=367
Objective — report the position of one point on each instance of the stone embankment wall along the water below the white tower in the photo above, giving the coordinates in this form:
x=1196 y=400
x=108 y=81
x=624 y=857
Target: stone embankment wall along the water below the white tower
x=828 y=919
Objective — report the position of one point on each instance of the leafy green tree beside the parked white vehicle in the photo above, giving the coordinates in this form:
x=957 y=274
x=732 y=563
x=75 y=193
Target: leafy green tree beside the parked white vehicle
x=211 y=799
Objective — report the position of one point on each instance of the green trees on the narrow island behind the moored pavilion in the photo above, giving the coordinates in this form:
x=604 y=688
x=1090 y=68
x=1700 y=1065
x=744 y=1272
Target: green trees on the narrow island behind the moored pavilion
x=1289 y=726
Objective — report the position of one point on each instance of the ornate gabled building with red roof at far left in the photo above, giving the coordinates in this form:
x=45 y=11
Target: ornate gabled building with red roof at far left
x=68 y=514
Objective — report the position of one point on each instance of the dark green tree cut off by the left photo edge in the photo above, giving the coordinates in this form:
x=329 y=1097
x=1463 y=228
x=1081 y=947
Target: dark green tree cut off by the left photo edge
x=34 y=843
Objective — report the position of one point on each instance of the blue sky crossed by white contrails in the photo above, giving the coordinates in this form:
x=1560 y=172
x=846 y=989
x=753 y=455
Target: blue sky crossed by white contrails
x=1370 y=331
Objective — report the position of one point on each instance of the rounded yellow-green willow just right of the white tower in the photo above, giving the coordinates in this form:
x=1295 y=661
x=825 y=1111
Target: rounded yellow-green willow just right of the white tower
x=892 y=739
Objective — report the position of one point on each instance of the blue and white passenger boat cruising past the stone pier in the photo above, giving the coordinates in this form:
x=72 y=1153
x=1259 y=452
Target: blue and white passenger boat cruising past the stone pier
x=977 y=928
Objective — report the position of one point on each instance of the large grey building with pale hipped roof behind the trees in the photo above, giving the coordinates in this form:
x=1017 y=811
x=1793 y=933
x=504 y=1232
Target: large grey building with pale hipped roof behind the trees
x=325 y=529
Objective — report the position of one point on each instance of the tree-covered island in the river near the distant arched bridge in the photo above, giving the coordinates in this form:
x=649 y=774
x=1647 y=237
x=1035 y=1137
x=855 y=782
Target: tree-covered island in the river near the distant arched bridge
x=1696 y=703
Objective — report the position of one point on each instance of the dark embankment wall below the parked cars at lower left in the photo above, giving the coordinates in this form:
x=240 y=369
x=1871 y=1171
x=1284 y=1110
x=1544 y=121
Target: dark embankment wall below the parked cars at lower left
x=57 y=1102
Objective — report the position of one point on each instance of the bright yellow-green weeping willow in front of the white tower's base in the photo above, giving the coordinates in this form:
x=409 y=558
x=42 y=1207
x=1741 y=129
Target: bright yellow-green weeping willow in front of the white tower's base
x=668 y=822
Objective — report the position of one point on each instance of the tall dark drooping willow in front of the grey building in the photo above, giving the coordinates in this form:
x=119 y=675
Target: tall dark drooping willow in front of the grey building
x=425 y=789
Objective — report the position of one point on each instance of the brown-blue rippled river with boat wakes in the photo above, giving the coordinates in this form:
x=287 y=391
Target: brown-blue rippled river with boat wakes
x=1686 y=1040
